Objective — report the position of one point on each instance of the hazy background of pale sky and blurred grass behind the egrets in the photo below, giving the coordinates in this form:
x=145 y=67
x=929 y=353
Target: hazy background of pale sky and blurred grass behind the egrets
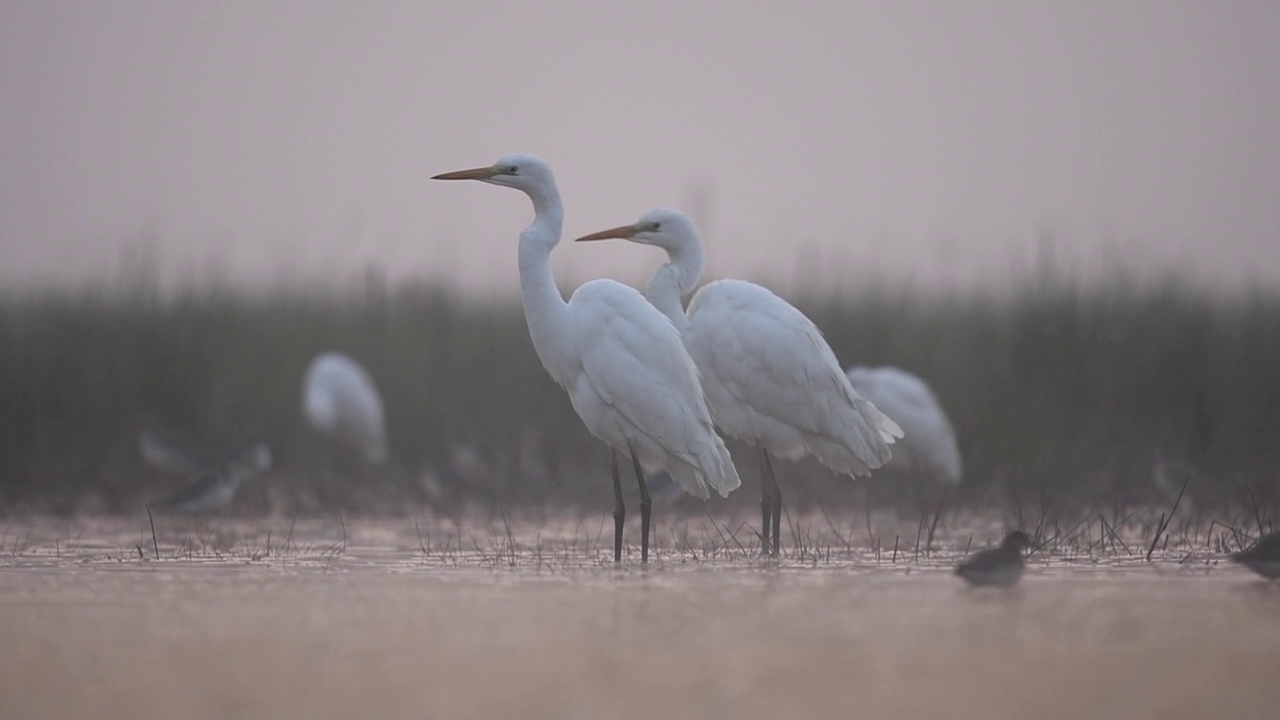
x=884 y=166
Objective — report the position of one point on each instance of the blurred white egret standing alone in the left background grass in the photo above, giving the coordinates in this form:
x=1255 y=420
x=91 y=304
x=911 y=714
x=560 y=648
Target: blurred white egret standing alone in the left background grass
x=341 y=402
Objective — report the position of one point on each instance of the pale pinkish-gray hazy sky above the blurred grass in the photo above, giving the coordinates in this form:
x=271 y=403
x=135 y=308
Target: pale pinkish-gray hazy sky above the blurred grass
x=936 y=142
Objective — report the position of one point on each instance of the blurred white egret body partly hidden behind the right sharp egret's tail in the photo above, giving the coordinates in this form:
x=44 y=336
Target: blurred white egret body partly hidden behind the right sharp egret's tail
x=930 y=448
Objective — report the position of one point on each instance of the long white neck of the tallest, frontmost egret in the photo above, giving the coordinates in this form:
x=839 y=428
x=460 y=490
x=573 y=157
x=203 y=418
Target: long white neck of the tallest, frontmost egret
x=546 y=309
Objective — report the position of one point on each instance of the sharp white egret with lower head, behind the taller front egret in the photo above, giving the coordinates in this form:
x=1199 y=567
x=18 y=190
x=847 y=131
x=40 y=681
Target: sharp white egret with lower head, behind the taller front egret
x=771 y=380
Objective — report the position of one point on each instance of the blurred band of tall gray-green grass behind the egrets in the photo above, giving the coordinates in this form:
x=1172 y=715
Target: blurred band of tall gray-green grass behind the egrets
x=1059 y=393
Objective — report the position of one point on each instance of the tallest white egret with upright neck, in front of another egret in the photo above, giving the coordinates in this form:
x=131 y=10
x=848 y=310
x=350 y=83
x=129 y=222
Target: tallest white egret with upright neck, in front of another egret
x=623 y=363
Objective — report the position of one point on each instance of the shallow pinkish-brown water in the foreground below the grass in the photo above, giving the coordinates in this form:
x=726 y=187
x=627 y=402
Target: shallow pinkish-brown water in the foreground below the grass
x=529 y=623
